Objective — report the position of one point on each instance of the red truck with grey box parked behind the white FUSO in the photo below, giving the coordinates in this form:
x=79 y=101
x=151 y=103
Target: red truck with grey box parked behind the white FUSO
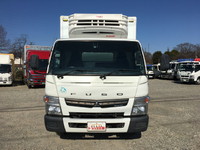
x=34 y=75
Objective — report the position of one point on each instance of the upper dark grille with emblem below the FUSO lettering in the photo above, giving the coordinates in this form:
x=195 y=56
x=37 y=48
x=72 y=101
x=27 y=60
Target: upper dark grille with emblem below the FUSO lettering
x=98 y=103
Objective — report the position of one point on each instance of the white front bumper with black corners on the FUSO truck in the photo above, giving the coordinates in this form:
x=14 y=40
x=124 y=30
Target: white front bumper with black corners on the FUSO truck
x=62 y=124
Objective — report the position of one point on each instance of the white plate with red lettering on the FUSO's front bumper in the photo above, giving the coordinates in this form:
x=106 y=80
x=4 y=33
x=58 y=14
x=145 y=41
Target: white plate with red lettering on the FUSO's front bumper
x=96 y=126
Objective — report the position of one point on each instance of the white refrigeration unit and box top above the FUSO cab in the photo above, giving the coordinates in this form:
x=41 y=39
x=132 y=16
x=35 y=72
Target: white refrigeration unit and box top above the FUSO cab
x=98 y=26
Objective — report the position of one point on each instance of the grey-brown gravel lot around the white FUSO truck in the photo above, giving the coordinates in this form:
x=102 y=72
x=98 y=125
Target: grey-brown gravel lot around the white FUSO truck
x=174 y=113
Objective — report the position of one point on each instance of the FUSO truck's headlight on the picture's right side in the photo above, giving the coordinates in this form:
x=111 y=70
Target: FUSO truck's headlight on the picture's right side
x=140 y=106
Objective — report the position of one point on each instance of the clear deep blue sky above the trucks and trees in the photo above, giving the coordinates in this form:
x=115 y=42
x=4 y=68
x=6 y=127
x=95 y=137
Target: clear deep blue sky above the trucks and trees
x=161 y=24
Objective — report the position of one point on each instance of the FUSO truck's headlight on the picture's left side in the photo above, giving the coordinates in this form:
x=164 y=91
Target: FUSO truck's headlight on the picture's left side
x=52 y=105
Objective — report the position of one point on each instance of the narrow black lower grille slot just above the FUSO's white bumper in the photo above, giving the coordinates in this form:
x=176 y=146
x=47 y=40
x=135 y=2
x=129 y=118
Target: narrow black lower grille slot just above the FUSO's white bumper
x=96 y=115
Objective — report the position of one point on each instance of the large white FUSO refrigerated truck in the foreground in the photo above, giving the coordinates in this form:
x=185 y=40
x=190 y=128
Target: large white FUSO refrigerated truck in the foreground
x=96 y=80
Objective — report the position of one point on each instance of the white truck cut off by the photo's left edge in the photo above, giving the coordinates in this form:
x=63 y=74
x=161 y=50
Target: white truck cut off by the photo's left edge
x=6 y=69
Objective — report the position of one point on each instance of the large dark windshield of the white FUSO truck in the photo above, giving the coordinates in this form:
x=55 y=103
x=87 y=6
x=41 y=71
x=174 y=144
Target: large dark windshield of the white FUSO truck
x=97 y=58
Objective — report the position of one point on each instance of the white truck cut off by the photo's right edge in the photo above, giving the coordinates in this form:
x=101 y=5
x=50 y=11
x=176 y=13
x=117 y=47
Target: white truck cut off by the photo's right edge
x=190 y=72
